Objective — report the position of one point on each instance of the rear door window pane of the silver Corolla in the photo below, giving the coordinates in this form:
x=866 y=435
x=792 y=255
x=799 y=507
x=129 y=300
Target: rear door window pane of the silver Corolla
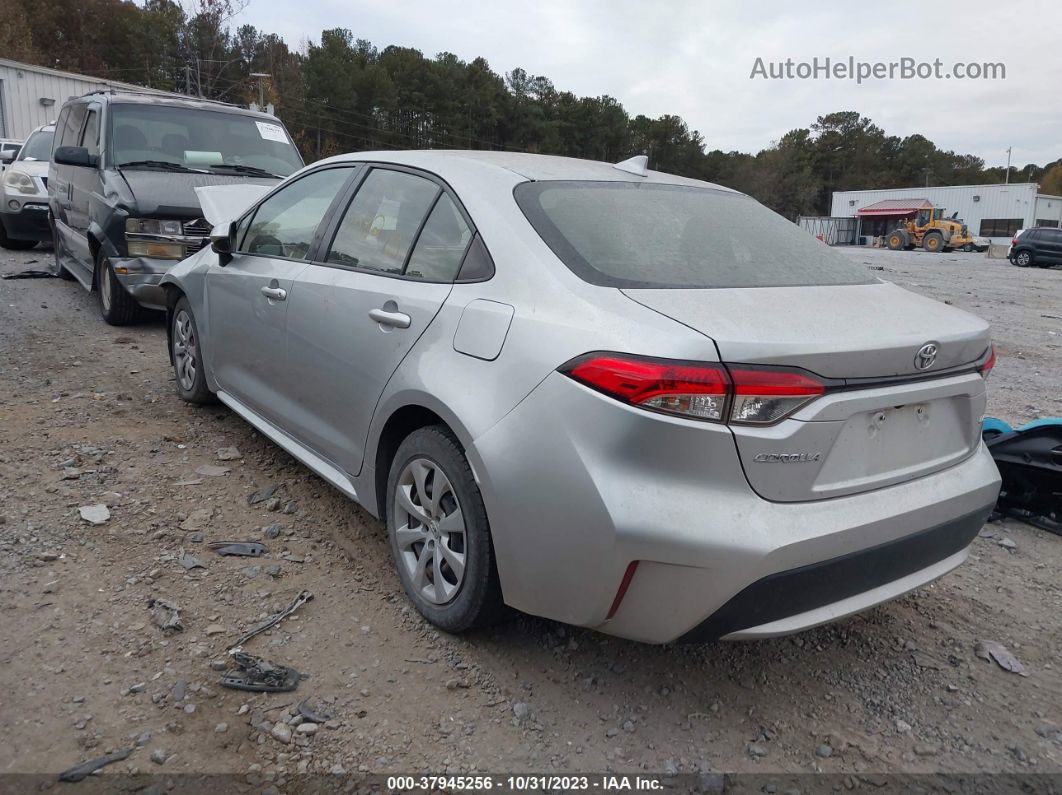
x=380 y=227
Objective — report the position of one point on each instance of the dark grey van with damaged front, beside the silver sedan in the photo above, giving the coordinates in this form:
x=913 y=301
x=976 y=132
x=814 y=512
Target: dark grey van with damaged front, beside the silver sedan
x=123 y=181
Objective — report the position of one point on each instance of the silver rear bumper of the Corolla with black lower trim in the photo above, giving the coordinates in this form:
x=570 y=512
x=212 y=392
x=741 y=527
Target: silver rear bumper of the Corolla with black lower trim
x=610 y=486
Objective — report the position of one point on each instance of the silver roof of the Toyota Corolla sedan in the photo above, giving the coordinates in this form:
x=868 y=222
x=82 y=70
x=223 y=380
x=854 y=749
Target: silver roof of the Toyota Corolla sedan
x=525 y=165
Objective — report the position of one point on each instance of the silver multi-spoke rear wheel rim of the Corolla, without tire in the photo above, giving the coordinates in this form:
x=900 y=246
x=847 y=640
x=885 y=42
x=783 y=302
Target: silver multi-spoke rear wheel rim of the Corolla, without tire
x=431 y=531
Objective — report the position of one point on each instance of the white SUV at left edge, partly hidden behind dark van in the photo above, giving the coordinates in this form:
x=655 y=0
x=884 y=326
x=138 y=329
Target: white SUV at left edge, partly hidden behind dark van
x=24 y=215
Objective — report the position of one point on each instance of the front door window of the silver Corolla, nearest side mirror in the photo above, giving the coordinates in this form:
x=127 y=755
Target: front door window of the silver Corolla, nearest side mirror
x=285 y=224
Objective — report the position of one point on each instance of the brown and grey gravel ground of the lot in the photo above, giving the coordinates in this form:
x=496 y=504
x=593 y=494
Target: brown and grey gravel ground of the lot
x=90 y=418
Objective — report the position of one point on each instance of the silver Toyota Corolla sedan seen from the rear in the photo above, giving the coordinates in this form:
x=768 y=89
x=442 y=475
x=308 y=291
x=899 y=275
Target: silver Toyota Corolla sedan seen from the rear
x=613 y=397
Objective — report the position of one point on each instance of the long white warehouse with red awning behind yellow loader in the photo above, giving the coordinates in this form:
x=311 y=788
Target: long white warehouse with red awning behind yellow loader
x=994 y=212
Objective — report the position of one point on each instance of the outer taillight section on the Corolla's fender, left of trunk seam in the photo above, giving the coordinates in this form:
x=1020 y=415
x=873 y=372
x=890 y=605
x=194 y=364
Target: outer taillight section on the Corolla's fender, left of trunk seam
x=691 y=390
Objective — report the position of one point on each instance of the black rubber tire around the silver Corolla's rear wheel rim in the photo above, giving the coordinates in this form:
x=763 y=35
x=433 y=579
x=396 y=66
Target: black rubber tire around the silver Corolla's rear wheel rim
x=478 y=601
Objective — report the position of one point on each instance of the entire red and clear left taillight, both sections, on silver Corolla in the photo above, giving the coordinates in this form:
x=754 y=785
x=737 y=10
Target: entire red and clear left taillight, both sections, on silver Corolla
x=714 y=392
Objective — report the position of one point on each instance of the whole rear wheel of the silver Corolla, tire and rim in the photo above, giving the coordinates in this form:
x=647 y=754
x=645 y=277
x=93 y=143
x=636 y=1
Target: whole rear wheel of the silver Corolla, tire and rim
x=440 y=537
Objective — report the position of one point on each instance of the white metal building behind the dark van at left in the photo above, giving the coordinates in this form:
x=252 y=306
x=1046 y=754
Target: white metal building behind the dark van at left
x=31 y=96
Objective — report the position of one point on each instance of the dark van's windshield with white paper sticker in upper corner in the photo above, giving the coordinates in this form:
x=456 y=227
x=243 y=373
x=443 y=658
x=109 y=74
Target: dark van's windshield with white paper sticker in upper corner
x=175 y=139
